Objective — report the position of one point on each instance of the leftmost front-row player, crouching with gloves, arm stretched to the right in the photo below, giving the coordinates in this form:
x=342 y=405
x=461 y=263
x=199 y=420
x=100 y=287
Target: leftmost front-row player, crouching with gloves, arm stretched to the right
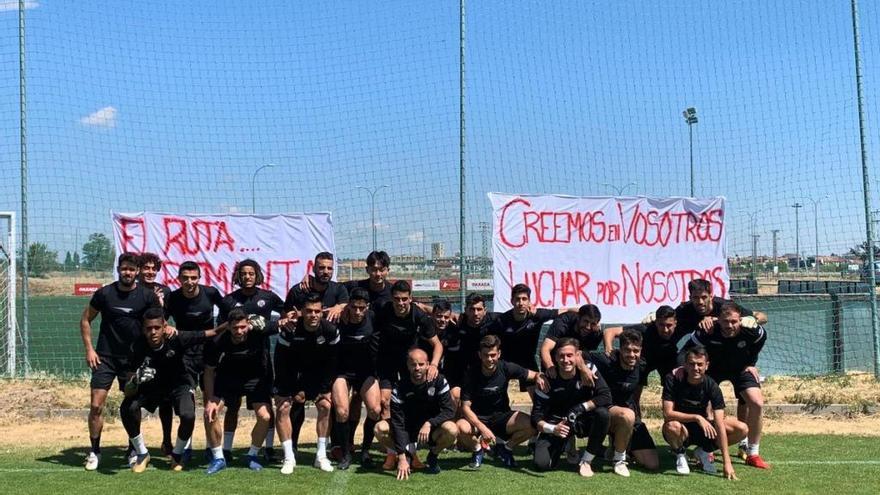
x=158 y=373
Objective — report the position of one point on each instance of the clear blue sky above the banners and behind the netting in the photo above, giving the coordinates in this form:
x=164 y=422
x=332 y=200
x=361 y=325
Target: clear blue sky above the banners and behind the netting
x=171 y=106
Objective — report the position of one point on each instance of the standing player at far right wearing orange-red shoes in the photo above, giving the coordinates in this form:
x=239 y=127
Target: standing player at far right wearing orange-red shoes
x=733 y=351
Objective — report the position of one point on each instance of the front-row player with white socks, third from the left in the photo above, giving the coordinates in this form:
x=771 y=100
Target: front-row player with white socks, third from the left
x=305 y=366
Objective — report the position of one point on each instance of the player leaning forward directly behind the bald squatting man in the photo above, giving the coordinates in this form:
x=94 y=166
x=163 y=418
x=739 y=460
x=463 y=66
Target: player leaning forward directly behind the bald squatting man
x=402 y=326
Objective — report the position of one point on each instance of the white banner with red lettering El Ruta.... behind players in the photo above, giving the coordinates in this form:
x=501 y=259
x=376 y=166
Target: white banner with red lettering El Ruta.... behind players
x=284 y=245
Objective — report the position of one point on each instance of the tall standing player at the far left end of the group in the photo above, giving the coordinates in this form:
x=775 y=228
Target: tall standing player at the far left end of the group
x=121 y=305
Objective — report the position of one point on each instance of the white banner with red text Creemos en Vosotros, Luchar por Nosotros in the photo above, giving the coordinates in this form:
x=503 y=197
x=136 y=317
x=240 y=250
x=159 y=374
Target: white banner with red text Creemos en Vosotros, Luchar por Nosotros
x=626 y=255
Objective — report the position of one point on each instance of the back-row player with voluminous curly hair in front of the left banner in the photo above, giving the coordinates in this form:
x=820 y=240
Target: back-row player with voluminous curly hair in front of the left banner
x=250 y=298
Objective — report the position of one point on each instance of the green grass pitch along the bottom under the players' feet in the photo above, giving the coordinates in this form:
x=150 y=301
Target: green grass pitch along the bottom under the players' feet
x=50 y=471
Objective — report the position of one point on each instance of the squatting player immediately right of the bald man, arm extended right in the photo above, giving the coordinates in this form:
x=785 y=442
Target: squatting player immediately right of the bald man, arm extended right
x=486 y=405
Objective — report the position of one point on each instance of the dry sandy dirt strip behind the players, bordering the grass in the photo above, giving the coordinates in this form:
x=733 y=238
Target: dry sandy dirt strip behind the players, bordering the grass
x=35 y=413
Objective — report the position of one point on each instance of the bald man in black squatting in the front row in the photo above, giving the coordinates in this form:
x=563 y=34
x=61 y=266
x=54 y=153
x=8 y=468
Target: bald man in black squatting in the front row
x=422 y=413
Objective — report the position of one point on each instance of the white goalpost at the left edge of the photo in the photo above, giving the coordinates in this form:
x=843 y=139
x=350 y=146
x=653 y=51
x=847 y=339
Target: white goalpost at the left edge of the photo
x=7 y=293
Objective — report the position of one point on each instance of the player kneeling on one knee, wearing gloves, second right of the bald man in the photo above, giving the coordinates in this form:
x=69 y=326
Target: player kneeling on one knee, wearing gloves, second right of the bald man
x=570 y=408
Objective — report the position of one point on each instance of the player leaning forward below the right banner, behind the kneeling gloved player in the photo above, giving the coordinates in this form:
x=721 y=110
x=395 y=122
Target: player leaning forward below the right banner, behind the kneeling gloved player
x=583 y=326
